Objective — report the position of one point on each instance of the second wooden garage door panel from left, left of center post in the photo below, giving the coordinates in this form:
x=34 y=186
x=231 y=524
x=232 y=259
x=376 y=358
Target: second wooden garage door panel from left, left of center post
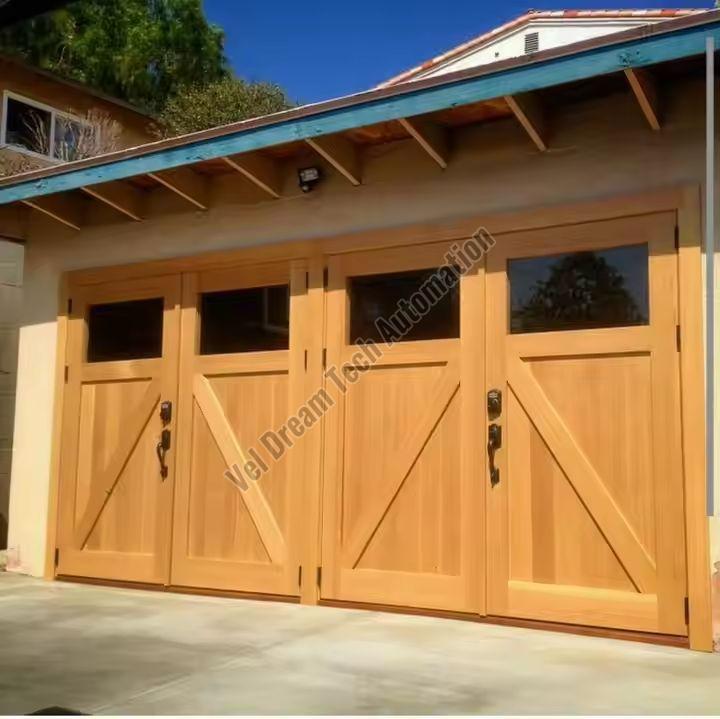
x=242 y=369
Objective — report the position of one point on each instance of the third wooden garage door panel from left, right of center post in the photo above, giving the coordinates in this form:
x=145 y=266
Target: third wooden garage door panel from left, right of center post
x=402 y=517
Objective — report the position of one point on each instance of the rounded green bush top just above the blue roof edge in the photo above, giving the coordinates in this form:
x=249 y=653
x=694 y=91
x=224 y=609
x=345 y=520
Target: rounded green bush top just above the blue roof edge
x=220 y=103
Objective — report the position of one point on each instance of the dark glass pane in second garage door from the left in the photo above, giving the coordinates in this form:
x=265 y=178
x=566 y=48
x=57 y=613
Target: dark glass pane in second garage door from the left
x=247 y=320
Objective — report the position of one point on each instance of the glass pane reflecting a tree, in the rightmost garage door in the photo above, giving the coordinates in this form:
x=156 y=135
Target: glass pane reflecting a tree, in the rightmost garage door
x=580 y=290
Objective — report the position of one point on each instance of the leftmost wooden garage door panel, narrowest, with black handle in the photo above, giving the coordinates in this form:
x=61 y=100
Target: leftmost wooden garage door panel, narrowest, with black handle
x=115 y=498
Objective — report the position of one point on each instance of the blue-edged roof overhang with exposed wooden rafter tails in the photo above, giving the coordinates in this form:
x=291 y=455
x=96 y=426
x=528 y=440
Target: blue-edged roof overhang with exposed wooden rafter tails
x=319 y=125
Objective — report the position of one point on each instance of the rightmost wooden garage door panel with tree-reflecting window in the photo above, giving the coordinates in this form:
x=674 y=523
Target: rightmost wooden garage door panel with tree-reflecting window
x=585 y=515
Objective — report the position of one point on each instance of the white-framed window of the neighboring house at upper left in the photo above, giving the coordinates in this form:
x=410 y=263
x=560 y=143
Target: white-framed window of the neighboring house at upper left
x=30 y=127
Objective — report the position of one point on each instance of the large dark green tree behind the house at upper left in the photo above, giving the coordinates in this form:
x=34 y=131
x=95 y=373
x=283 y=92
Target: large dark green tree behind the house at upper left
x=142 y=51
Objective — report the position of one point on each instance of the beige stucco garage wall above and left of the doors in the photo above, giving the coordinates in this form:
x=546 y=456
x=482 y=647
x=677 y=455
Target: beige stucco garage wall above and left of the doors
x=598 y=149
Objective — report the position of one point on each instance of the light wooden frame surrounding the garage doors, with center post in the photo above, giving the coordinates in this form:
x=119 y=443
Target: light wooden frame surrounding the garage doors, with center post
x=685 y=200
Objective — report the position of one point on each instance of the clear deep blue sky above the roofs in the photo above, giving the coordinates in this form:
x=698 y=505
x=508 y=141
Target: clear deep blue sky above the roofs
x=327 y=48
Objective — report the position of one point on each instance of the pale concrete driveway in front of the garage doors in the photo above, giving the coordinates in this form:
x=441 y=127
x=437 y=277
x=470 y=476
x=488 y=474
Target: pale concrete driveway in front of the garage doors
x=116 y=651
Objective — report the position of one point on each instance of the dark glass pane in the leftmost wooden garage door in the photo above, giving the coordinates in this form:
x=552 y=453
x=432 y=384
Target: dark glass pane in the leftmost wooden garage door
x=125 y=330
